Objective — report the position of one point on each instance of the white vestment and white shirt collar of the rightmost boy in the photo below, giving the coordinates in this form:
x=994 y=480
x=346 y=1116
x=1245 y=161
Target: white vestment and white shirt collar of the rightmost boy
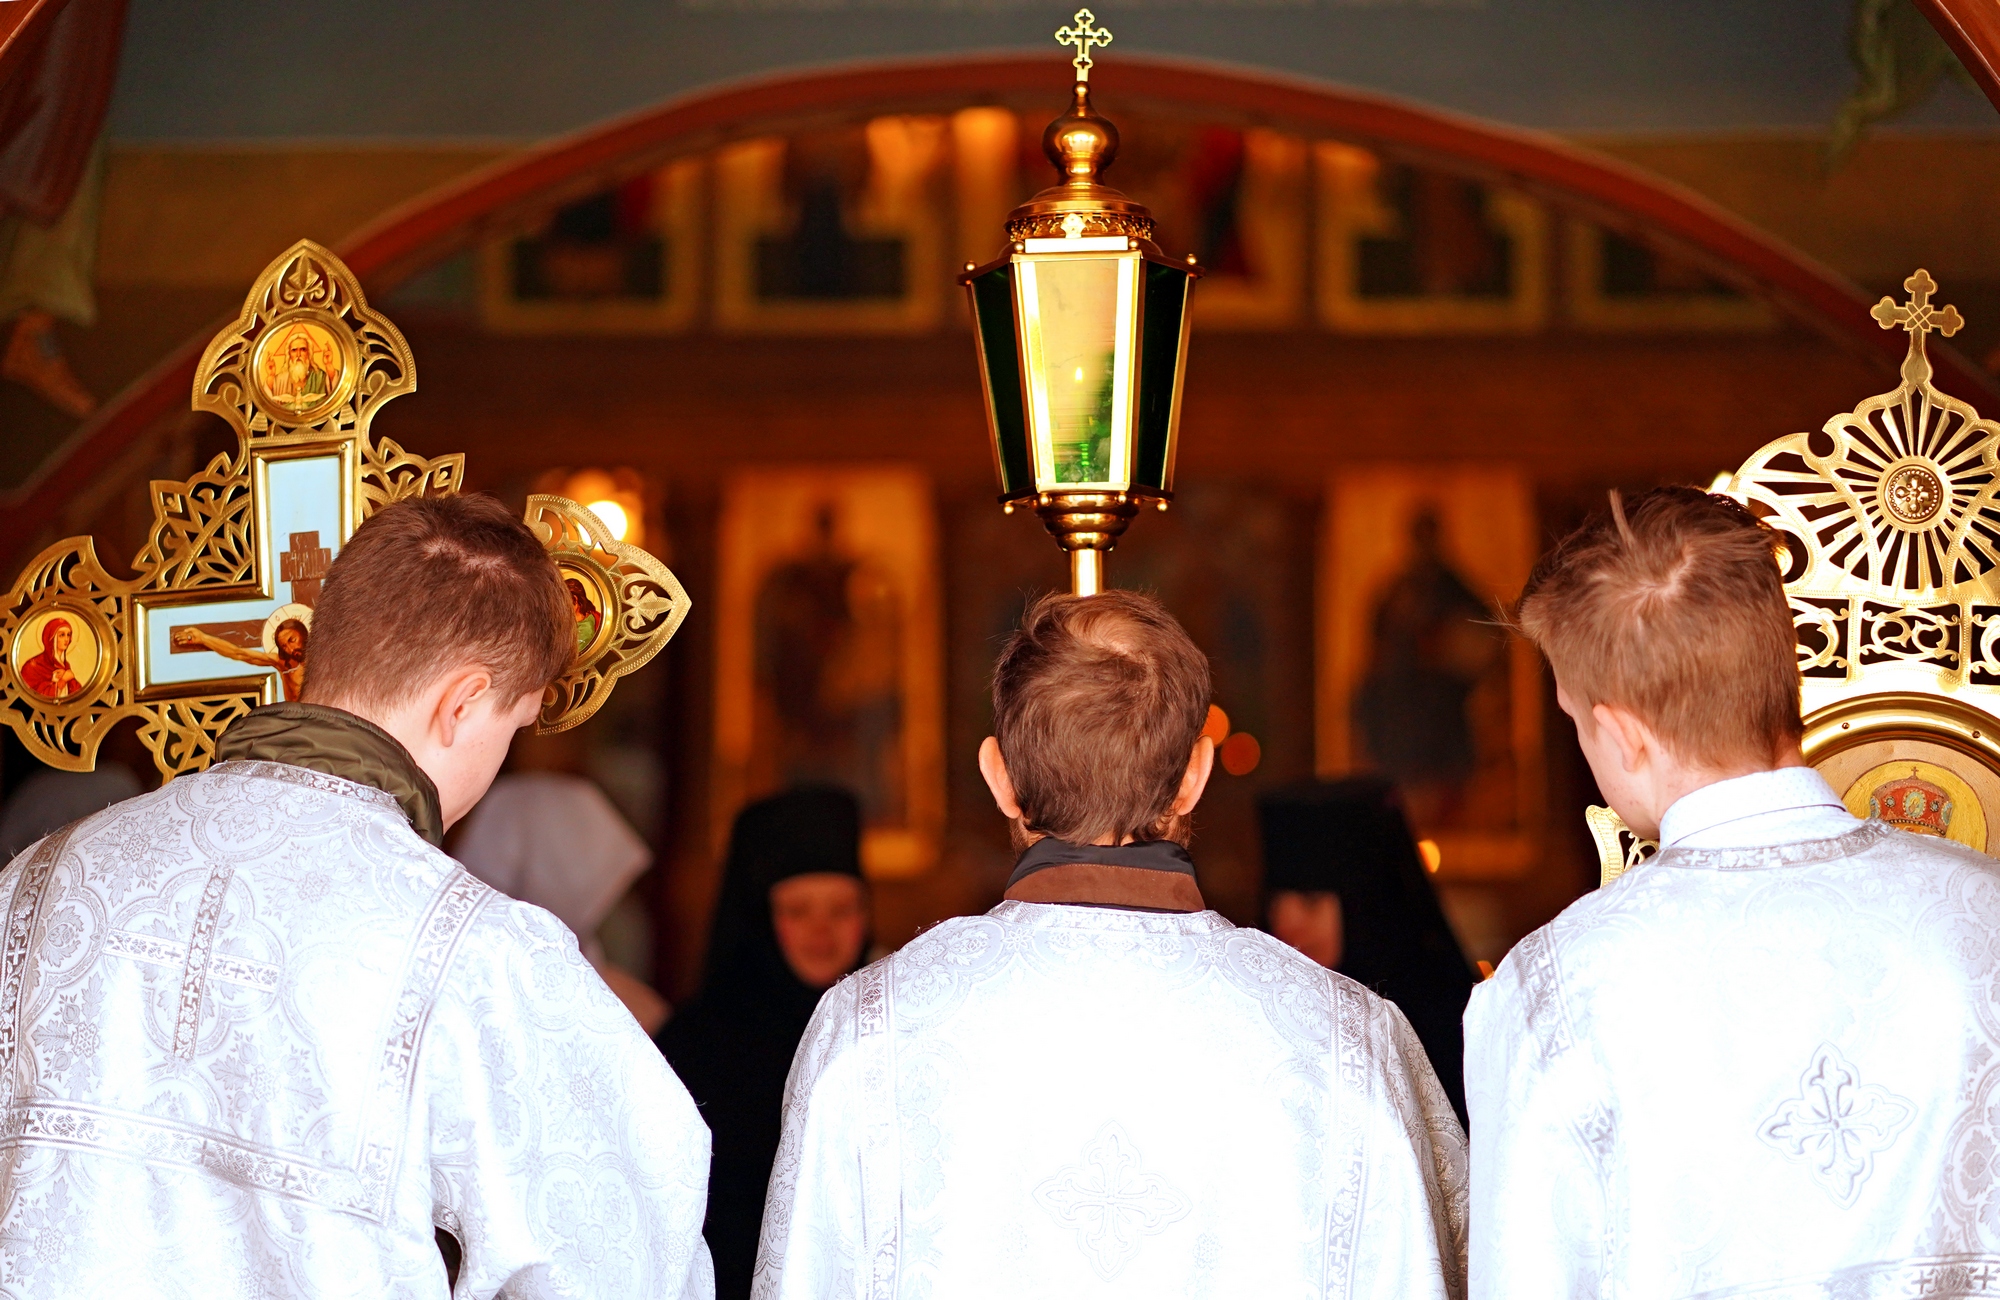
x=1749 y=1071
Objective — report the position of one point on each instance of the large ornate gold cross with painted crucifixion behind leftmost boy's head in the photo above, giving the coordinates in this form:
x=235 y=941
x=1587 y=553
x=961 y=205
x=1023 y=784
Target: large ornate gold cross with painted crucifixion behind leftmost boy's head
x=219 y=615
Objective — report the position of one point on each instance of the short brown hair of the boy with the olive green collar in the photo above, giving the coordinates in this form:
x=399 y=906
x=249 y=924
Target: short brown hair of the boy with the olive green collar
x=429 y=585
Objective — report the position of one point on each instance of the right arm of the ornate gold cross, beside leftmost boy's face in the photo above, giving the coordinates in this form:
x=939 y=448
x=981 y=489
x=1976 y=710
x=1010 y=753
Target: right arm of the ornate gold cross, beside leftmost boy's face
x=637 y=603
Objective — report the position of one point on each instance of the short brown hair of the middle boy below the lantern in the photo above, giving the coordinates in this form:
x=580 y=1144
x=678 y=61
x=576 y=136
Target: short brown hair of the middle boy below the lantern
x=1097 y=705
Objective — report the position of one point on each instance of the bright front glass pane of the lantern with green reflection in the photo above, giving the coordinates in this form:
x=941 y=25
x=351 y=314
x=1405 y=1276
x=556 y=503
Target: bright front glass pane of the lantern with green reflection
x=1077 y=303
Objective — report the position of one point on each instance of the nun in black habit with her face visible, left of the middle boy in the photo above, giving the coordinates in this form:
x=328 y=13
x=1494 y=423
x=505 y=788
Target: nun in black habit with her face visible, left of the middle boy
x=791 y=921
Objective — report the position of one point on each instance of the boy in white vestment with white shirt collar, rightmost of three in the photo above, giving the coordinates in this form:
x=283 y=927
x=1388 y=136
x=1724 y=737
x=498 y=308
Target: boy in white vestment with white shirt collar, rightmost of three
x=1763 y=1063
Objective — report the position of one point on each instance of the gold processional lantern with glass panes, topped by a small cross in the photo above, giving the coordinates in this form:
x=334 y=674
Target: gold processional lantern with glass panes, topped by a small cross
x=1083 y=337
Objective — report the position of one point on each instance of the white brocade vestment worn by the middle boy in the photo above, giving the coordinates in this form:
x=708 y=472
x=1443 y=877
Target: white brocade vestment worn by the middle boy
x=1063 y=1101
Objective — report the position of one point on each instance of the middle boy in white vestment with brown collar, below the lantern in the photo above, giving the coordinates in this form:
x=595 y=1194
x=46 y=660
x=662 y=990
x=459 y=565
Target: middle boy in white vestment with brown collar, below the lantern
x=1101 y=1087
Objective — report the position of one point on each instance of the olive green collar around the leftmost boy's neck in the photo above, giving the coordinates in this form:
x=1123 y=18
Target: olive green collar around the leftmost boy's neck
x=341 y=745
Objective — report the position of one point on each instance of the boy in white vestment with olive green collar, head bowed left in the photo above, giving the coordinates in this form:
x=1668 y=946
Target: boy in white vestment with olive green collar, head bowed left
x=259 y=1037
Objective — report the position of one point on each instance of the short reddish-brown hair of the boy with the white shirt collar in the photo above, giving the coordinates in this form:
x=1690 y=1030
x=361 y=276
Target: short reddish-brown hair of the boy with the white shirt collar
x=1673 y=607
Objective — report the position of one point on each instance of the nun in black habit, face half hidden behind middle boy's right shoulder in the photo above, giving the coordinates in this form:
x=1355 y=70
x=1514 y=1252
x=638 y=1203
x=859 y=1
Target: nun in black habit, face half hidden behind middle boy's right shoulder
x=1387 y=931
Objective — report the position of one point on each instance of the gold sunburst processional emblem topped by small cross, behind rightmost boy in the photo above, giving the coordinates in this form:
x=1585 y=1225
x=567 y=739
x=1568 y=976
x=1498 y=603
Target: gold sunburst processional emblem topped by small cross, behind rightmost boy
x=1891 y=525
